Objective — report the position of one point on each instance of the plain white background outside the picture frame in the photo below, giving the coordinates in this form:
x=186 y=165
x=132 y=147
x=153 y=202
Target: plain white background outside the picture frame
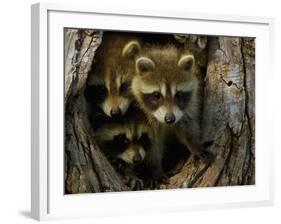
x=15 y=111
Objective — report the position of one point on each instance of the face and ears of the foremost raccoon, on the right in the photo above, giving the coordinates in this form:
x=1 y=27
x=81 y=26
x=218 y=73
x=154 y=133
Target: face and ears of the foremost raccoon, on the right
x=165 y=90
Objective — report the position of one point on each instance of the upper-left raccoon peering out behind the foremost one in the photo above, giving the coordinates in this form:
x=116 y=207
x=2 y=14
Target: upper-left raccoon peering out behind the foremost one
x=112 y=71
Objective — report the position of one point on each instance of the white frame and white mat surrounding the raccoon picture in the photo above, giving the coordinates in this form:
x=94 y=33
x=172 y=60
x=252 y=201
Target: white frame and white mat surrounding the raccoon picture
x=48 y=200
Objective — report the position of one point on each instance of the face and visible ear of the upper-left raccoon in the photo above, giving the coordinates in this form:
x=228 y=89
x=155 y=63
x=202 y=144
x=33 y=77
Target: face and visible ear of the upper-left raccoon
x=111 y=82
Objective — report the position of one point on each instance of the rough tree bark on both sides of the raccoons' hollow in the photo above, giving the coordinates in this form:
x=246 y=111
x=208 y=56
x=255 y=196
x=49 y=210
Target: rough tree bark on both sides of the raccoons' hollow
x=228 y=119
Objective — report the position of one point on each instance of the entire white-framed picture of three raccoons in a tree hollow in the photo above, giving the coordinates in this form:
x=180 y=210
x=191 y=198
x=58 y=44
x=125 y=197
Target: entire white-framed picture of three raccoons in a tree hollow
x=148 y=111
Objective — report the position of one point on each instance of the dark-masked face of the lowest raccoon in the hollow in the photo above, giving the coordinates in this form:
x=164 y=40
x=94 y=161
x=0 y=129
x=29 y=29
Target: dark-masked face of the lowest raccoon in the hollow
x=128 y=143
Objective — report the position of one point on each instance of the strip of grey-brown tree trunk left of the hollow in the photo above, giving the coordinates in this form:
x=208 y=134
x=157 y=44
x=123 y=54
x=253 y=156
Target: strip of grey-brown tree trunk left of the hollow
x=86 y=168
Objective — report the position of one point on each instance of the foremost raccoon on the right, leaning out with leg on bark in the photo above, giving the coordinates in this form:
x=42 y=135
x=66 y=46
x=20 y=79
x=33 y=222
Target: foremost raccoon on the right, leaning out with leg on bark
x=166 y=87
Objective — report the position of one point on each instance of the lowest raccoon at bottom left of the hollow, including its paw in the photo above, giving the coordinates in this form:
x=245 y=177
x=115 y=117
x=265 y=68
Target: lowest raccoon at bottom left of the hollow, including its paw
x=127 y=144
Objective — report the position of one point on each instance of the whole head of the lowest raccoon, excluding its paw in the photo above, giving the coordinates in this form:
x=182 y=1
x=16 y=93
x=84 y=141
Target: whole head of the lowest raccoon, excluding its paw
x=128 y=139
